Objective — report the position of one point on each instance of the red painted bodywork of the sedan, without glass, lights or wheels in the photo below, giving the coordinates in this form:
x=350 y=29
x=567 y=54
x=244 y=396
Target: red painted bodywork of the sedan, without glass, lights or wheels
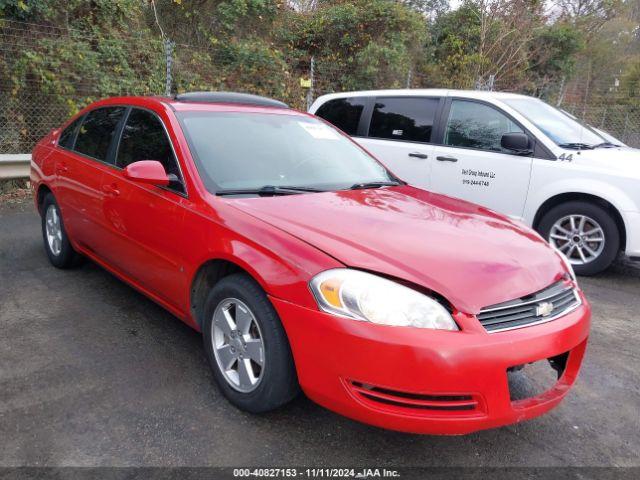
x=157 y=241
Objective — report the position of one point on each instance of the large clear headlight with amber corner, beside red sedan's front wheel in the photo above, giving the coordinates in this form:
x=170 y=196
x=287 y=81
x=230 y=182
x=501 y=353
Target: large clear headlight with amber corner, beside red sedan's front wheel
x=363 y=296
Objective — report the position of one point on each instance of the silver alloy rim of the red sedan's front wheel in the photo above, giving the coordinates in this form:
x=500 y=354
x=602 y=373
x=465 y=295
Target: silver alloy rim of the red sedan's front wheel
x=238 y=345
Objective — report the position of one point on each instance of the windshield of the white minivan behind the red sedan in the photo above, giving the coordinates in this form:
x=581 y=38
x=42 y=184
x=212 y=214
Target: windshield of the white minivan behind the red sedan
x=562 y=129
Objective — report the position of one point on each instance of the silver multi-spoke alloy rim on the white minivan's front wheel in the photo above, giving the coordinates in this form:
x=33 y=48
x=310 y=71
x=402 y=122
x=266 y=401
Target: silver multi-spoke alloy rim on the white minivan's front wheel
x=579 y=237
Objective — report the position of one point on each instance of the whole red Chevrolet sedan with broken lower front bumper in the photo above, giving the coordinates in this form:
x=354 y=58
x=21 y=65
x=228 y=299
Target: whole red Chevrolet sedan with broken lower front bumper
x=306 y=264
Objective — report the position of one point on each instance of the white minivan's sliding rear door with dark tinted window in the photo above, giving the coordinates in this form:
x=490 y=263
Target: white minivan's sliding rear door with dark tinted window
x=399 y=135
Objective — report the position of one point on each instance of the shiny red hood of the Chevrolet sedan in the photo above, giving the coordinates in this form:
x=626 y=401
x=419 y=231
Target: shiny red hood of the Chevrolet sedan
x=470 y=255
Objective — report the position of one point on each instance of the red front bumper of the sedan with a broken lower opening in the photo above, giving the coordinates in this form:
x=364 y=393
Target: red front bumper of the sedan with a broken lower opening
x=335 y=357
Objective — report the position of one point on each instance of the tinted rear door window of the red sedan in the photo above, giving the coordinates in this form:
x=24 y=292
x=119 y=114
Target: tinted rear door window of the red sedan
x=97 y=131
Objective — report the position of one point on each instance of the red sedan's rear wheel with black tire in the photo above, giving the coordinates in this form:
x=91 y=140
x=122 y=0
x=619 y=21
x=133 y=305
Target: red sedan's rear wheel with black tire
x=61 y=254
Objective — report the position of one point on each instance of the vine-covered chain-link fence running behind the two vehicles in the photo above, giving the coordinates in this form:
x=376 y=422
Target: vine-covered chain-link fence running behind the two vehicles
x=48 y=73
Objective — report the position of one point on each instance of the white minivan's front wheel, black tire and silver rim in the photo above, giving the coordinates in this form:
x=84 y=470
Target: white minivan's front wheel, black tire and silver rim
x=594 y=215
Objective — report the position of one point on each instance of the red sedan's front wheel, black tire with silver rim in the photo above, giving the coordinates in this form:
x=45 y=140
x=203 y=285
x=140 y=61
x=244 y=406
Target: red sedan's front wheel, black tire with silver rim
x=276 y=380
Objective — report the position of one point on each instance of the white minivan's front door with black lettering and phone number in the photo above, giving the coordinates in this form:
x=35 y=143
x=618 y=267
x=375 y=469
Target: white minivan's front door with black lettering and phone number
x=470 y=163
